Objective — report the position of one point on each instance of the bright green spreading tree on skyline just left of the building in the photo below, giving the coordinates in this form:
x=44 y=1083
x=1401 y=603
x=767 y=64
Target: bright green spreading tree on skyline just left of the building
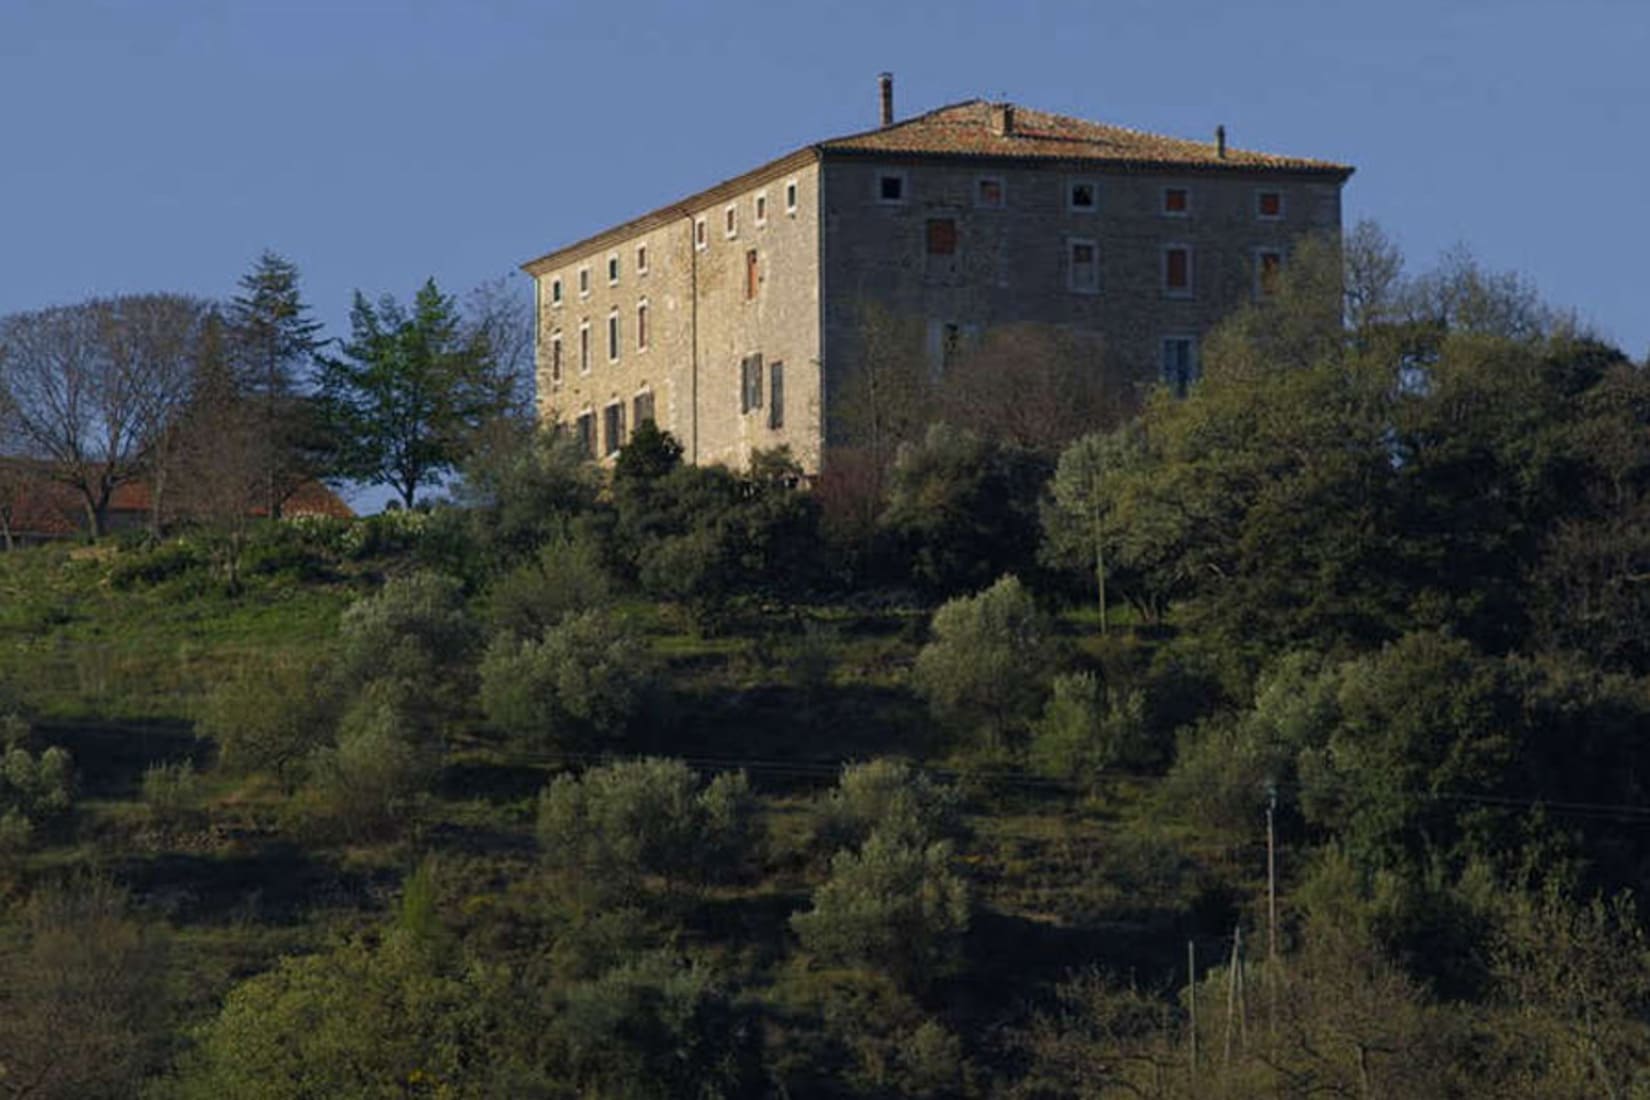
x=410 y=393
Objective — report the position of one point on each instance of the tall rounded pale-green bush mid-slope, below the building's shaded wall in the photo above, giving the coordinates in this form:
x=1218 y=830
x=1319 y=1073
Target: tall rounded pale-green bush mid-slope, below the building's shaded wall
x=984 y=672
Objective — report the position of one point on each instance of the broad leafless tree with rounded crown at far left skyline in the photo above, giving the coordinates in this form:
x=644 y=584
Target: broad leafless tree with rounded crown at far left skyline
x=92 y=388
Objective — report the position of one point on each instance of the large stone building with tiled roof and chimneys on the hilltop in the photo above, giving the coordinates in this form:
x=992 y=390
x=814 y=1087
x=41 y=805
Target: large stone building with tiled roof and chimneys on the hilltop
x=735 y=316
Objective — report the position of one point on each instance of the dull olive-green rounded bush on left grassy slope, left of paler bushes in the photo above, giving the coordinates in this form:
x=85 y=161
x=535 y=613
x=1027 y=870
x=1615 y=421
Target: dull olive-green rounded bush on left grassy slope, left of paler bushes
x=270 y=717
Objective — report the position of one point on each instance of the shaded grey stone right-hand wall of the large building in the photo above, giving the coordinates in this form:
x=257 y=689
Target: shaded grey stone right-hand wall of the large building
x=1012 y=261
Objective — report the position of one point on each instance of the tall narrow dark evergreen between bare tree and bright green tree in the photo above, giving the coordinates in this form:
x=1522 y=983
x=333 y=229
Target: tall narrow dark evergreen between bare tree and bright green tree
x=276 y=339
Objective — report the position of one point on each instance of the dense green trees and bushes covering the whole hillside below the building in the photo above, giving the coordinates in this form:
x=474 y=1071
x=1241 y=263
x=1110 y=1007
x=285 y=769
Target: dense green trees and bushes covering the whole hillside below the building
x=694 y=783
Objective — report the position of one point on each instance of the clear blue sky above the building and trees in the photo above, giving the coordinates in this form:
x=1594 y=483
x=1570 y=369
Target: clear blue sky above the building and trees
x=163 y=144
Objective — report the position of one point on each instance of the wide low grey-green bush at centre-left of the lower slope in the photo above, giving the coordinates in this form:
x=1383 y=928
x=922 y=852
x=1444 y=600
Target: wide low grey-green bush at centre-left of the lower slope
x=649 y=817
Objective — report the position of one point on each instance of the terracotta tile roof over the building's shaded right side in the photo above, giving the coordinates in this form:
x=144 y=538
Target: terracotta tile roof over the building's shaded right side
x=966 y=129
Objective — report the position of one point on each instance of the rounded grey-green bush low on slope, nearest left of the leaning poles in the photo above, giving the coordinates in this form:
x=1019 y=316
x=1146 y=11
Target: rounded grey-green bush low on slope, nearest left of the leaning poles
x=895 y=906
